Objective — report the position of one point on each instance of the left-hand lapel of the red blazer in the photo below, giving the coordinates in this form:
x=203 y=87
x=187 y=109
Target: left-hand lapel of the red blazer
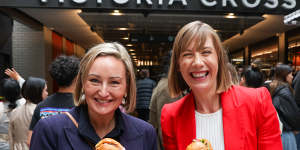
x=186 y=123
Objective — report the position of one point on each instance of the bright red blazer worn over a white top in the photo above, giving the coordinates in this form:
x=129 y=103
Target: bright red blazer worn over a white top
x=249 y=121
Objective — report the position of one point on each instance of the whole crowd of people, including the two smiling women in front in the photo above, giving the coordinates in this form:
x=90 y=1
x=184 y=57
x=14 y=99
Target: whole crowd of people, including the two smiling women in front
x=200 y=95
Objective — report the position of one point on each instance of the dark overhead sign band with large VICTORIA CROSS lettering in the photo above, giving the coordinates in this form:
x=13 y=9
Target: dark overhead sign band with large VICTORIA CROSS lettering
x=205 y=6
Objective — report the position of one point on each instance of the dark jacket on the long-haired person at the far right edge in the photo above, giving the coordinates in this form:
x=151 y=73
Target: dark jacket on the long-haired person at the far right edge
x=283 y=101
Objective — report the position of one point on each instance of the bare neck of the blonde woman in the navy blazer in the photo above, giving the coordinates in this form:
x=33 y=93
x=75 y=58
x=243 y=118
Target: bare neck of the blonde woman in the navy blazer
x=102 y=124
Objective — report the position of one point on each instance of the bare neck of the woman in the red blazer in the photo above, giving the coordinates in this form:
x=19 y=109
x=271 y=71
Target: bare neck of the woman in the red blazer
x=207 y=102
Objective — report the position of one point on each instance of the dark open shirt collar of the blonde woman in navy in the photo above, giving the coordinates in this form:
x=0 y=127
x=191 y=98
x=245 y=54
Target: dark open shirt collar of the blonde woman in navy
x=88 y=132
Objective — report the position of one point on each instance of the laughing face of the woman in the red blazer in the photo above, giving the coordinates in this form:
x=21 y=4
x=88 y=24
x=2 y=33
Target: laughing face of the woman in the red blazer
x=199 y=66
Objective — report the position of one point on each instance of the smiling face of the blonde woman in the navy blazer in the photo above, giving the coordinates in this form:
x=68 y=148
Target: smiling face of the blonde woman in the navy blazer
x=105 y=85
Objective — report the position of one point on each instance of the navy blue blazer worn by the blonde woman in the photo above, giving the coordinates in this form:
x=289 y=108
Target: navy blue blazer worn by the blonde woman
x=59 y=133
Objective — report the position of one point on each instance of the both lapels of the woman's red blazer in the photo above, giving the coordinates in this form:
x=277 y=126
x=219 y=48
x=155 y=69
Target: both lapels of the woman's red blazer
x=233 y=124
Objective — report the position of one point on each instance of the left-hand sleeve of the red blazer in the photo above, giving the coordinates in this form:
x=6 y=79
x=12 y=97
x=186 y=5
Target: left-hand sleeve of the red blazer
x=169 y=140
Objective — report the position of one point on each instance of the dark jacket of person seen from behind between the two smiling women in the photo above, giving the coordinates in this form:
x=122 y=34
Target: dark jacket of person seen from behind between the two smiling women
x=144 y=92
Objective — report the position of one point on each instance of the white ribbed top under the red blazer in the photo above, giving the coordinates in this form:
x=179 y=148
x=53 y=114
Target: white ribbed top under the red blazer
x=210 y=127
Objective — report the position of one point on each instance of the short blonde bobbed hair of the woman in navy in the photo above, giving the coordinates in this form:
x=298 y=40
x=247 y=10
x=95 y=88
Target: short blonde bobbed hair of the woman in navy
x=107 y=49
